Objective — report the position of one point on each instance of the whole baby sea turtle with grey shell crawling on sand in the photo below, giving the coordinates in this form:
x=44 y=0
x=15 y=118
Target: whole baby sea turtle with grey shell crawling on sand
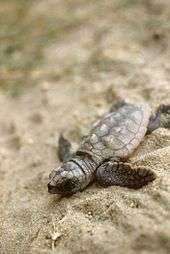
x=103 y=153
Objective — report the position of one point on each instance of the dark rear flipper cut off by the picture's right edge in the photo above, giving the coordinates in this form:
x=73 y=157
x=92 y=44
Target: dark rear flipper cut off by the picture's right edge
x=161 y=118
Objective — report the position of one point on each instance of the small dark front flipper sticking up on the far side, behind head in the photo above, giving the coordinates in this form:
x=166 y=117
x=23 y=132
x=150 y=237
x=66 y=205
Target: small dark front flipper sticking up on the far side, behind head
x=64 y=149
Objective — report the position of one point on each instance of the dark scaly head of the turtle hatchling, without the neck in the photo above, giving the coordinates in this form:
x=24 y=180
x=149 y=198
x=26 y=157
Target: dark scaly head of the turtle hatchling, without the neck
x=63 y=180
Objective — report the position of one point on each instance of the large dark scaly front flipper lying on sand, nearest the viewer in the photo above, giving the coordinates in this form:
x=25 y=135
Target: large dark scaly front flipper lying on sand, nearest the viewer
x=123 y=174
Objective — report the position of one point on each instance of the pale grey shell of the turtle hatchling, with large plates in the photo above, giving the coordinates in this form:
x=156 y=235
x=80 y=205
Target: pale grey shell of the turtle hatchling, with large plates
x=118 y=133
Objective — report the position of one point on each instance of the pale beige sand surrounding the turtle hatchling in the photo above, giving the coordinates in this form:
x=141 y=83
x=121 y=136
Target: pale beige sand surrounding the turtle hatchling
x=113 y=50
